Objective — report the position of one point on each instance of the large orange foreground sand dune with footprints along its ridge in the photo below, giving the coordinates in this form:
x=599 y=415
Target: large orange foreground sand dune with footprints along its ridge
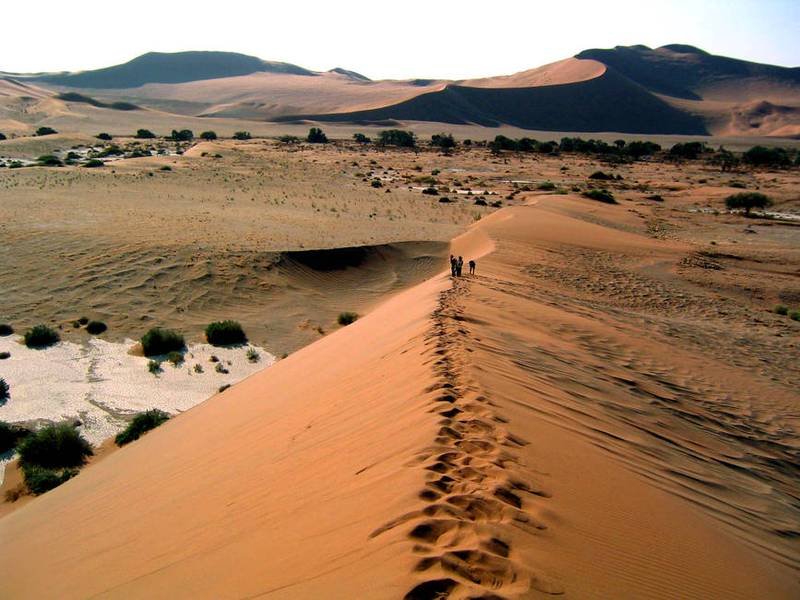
x=495 y=437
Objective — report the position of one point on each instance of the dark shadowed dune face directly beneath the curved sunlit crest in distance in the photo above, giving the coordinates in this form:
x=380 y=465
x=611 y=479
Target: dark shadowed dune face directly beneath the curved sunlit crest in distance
x=605 y=103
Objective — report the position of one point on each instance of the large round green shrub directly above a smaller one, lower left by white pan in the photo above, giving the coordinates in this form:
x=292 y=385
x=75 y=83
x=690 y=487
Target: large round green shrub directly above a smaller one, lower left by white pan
x=54 y=447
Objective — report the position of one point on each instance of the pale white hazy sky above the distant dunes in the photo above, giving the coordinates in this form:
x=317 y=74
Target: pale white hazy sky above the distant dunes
x=411 y=38
